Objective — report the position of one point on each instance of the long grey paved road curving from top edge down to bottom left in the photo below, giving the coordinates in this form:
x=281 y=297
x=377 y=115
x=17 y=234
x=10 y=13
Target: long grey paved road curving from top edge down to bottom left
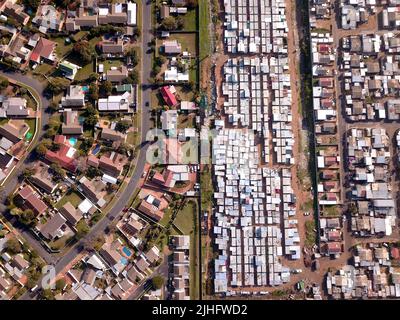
x=116 y=212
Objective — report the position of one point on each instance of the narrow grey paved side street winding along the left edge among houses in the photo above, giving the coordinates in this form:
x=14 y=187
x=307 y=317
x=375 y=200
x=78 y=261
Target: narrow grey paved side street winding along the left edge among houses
x=12 y=182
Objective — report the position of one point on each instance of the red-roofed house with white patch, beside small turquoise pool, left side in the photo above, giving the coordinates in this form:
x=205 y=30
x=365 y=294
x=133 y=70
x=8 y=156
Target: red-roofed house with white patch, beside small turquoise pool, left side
x=65 y=156
